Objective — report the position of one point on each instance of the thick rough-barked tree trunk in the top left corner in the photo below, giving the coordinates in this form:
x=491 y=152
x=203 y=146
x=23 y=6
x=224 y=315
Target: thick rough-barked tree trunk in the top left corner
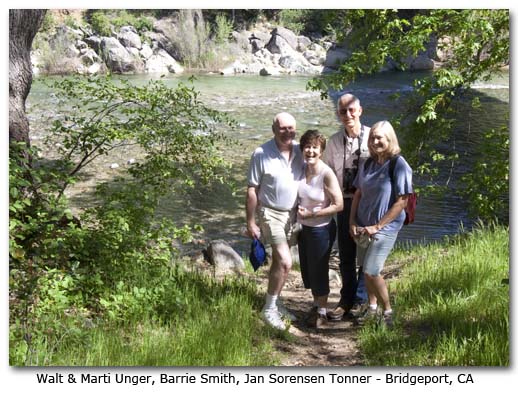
x=23 y=26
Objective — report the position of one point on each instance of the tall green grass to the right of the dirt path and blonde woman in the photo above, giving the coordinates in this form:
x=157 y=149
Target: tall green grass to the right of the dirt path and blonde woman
x=451 y=303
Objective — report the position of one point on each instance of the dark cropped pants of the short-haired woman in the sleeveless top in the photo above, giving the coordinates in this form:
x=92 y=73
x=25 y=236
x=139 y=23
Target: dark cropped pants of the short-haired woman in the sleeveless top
x=315 y=245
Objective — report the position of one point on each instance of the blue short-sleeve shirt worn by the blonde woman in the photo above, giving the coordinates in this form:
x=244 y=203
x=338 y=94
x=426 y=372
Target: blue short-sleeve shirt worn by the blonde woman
x=377 y=195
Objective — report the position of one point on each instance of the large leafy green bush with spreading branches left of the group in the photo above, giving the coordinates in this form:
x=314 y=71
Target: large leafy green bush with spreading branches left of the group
x=62 y=265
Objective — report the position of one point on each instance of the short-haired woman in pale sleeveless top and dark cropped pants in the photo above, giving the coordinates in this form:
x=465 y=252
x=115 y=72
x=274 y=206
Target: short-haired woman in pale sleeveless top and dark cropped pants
x=320 y=198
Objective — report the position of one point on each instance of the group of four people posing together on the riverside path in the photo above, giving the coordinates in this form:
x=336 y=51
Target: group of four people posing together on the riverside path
x=310 y=183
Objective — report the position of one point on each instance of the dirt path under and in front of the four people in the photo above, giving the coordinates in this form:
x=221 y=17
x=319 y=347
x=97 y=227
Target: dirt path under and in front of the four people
x=332 y=345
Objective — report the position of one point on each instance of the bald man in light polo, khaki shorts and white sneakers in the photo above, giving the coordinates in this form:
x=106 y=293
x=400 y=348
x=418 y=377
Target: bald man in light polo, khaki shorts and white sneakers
x=275 y=168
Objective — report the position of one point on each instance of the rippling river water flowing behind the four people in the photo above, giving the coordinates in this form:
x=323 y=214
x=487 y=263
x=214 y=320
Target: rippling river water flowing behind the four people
x=253 y=101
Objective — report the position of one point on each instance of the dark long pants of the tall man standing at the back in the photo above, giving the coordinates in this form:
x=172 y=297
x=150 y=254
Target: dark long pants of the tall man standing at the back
x=353 y=284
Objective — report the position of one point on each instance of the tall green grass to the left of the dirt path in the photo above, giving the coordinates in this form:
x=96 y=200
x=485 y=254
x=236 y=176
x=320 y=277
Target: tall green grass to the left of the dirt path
x=197 y=321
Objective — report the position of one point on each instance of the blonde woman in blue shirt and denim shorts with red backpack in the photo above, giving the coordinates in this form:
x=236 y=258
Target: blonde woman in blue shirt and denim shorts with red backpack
x=377 y=212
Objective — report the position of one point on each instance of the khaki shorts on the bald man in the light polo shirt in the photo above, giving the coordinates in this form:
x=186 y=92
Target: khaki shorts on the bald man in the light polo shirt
x=276 y=226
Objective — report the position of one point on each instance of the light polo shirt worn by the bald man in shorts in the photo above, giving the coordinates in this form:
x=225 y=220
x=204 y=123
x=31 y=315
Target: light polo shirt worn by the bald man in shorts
x=276 y=178
